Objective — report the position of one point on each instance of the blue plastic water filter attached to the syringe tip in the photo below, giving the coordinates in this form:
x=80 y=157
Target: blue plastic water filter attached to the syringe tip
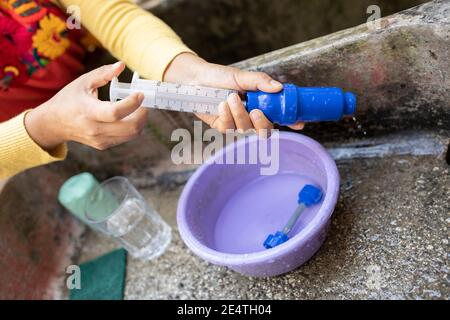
x=311 y=104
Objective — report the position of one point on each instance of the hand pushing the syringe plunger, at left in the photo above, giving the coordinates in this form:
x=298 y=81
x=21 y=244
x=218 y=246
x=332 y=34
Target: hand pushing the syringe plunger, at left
x=76 y=114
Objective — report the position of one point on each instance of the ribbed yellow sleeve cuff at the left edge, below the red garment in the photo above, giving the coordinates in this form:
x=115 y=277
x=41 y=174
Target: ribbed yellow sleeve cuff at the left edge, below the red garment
x=19 y=152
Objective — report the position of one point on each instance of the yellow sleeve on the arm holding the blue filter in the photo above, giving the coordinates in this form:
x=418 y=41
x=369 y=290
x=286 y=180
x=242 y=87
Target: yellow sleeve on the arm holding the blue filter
x=145 y=43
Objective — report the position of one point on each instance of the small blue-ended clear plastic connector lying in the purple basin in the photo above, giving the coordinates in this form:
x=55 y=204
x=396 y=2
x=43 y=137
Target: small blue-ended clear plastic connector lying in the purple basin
x=308 y=196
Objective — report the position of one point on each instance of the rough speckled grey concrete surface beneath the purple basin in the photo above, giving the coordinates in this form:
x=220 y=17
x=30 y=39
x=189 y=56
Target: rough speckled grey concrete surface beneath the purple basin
x=388 y=240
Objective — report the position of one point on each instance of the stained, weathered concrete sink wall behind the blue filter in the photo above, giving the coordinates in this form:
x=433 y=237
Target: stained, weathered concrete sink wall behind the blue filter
x=400 y=72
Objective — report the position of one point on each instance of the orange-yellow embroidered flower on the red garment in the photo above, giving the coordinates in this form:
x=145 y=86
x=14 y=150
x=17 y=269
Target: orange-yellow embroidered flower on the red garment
x=51 y=39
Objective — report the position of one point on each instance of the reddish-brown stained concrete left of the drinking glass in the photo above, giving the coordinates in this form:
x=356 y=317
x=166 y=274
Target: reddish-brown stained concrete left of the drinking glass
x=38 y=240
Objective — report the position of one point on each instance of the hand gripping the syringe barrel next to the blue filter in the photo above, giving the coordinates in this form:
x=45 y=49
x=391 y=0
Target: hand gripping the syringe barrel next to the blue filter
x=187 y=68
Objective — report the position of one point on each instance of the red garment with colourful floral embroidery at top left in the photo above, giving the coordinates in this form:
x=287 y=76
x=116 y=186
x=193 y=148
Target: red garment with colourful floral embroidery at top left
x=38 y=53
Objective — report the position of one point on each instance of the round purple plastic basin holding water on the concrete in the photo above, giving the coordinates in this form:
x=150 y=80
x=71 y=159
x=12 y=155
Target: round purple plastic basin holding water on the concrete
x=226 y=211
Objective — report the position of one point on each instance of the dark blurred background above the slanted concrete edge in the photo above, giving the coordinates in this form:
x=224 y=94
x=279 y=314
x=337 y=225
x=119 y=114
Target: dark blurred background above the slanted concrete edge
x=226 y=31
